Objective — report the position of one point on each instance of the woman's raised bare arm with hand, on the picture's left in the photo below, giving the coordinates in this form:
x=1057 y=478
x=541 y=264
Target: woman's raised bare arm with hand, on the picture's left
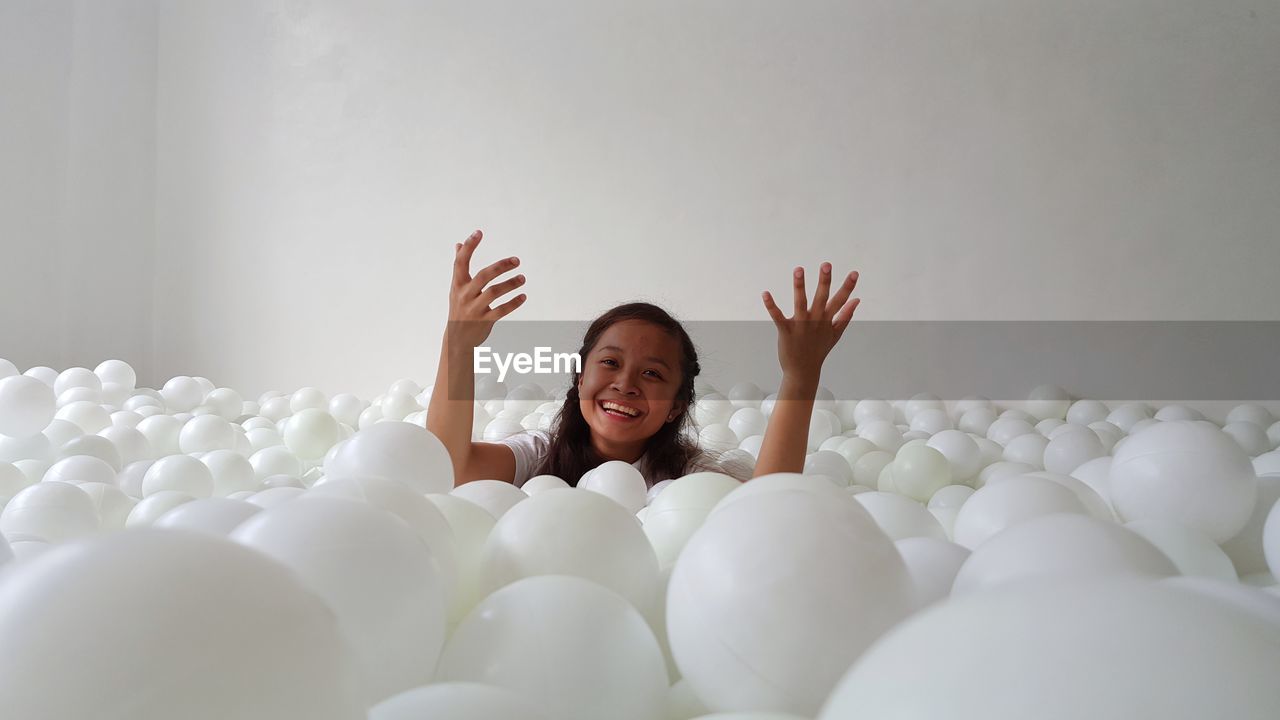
x=450 y=413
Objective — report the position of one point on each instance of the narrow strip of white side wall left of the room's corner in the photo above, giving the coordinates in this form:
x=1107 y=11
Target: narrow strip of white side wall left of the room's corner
x=77 y=181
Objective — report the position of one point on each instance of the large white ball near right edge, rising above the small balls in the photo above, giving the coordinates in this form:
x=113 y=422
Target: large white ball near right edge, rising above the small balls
x=1188 y=473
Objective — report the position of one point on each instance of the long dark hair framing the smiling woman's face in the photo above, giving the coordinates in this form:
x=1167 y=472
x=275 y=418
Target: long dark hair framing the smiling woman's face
x=670 y=452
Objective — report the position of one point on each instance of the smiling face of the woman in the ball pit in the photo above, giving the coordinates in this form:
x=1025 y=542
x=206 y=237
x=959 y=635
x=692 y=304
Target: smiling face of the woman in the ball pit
x=636 y=364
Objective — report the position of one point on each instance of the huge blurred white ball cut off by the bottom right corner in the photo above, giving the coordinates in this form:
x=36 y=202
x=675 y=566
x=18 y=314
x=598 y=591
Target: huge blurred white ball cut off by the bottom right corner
x=985 y=658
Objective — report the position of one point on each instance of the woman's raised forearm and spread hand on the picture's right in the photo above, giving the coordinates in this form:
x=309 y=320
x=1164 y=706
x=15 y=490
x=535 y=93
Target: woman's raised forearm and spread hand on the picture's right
x=804 y=343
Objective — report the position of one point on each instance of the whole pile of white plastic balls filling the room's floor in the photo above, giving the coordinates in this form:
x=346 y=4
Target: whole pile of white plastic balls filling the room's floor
x=189 y=554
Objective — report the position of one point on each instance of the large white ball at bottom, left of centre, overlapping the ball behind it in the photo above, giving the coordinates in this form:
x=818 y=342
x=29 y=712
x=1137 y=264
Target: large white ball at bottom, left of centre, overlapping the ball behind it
x=606 y=660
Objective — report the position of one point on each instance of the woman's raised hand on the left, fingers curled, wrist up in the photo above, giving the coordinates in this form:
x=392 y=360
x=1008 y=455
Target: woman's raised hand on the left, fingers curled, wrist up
x=470 y=317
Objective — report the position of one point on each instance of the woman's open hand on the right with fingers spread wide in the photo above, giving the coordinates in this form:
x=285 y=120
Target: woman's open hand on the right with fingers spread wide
x=808 y=336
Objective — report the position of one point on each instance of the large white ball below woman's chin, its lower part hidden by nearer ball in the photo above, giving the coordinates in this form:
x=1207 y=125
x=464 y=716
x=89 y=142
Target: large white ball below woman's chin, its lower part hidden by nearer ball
x=573 y=532
